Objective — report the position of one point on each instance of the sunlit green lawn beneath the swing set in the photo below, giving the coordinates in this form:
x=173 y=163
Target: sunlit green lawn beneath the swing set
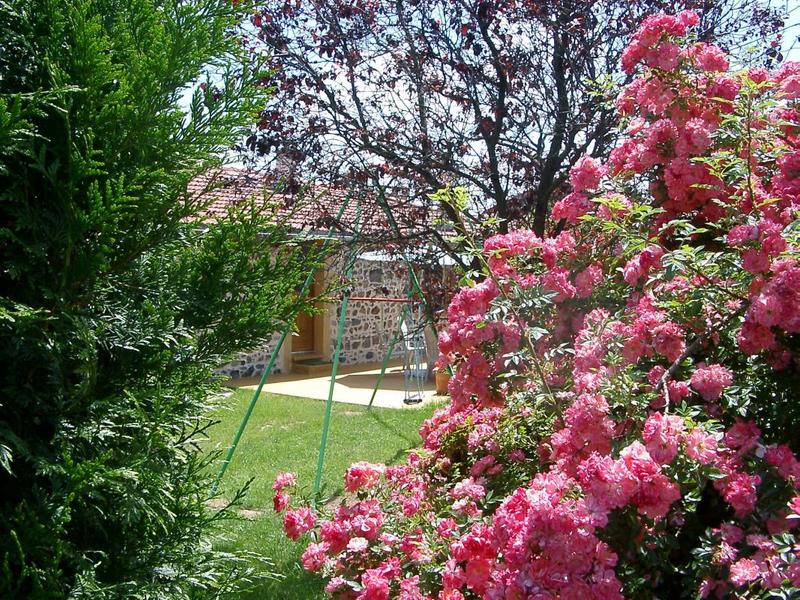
x=284 y=435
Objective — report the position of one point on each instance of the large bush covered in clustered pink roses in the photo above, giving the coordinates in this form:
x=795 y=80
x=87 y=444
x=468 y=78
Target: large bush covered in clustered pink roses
x=625 y=402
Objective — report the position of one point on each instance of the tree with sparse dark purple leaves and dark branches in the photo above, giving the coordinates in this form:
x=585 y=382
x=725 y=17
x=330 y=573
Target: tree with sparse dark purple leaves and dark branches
x=501 y=97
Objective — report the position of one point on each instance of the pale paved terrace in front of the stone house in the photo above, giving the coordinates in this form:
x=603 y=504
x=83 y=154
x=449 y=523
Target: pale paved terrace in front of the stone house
x=354 y=385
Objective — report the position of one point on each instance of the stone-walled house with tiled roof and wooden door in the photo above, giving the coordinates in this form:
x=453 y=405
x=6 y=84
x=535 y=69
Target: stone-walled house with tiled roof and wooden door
x=378 y=280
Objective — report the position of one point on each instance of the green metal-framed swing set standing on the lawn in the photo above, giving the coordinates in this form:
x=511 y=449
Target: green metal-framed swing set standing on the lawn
x=410 y=330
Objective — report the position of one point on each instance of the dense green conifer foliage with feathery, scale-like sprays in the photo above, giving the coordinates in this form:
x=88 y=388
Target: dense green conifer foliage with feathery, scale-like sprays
x=114 y=306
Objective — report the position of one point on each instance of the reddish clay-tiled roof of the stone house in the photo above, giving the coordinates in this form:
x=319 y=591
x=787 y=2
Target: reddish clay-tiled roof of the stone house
x=310 y=210
